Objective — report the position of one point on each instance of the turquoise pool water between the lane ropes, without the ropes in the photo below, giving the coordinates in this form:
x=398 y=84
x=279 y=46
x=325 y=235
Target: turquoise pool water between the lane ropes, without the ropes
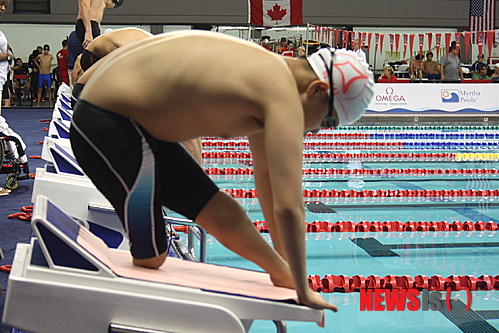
x=427 y=253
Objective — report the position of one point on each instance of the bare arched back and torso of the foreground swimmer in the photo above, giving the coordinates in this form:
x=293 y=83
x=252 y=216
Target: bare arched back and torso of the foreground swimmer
x=184 y=85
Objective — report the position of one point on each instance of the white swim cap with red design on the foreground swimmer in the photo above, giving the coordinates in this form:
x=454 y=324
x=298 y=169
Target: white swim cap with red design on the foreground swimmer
x=352 y=82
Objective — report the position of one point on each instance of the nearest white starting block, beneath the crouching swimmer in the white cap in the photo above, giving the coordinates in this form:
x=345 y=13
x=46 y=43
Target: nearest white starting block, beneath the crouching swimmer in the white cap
x=68 y=279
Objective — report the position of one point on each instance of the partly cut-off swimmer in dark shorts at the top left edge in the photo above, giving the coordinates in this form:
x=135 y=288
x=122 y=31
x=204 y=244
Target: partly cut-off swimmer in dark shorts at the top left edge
x=90 y=13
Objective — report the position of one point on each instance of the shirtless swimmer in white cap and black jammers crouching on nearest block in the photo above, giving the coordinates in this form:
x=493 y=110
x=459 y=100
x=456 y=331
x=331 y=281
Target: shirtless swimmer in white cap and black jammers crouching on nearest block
x=139 y=104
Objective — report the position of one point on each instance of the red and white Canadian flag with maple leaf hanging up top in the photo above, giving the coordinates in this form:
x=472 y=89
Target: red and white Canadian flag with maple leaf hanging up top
x=275 y=13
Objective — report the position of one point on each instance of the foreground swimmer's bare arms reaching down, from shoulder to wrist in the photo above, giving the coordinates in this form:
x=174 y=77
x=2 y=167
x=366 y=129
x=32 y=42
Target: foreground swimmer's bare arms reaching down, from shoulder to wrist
x=277 y=157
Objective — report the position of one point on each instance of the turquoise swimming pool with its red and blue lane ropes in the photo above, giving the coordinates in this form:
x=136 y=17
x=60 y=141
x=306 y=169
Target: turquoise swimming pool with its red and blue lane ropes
x=388 y=174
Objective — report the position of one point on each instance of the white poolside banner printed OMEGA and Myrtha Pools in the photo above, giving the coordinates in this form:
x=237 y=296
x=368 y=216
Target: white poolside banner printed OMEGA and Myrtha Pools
x=435 y=98
